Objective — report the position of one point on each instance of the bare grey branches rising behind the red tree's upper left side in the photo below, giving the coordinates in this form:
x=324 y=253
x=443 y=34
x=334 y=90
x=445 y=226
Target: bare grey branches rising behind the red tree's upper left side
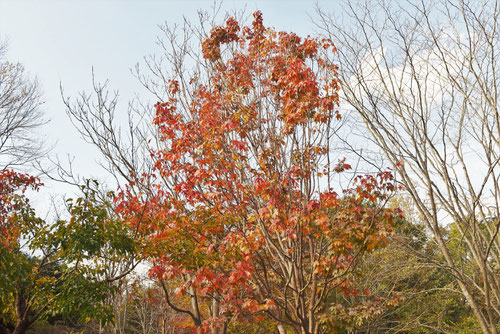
x=125 y=135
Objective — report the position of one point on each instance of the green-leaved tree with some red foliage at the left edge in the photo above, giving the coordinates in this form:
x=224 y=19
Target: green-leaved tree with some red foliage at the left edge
x=55 y=269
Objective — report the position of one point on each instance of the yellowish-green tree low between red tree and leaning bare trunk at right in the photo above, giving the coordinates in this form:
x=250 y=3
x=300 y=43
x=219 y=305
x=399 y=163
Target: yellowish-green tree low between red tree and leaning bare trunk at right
x=429 y=300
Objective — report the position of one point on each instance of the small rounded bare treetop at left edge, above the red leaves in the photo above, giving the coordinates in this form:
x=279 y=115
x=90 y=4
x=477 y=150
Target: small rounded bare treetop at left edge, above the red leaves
x=20 y=115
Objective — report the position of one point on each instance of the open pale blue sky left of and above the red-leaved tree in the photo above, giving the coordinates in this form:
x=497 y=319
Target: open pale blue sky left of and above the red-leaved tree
x=60 y=41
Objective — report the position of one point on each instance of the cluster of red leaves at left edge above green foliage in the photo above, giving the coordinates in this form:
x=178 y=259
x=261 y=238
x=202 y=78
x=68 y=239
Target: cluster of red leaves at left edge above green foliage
x=13 y=202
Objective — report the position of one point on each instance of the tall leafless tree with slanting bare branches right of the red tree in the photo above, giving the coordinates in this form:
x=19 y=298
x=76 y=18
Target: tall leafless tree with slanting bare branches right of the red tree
x=424 y=82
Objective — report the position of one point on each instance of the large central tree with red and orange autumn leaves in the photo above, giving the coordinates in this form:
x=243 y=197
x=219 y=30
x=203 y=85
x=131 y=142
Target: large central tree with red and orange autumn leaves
x=241 y=205
